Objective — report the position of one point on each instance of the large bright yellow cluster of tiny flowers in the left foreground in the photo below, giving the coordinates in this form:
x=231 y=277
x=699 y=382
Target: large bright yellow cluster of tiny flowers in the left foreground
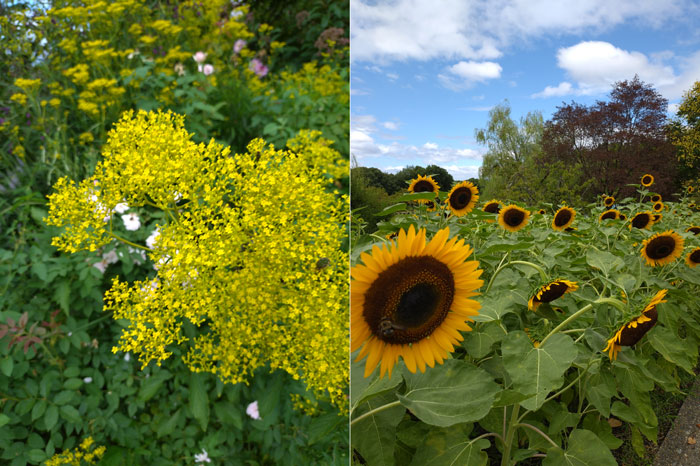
x=251 y=255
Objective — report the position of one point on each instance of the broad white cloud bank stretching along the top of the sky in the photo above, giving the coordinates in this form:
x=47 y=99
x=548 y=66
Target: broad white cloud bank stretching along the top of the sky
x=480 y=30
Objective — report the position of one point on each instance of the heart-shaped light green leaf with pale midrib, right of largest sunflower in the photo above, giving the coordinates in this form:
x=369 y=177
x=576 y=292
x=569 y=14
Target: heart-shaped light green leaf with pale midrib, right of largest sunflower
x=538 y=370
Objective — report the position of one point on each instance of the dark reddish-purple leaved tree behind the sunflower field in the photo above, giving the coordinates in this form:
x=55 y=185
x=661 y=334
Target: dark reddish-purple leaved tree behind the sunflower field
x=616 y=142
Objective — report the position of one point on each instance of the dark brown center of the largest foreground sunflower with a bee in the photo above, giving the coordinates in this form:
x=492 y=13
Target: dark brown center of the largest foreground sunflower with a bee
x=409 y=300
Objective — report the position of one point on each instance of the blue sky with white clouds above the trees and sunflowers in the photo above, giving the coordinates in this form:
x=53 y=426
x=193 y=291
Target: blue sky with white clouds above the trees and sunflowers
x=424 y=74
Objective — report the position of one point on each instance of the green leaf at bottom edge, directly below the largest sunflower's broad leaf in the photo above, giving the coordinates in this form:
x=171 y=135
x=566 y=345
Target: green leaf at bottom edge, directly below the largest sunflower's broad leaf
x=451 y=446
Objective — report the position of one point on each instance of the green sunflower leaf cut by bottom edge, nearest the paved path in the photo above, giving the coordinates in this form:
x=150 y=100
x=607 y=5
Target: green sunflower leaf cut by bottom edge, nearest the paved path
x=584 y=449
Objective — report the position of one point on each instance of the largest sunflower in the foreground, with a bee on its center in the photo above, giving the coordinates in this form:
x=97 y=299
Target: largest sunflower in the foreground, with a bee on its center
x=411 y=300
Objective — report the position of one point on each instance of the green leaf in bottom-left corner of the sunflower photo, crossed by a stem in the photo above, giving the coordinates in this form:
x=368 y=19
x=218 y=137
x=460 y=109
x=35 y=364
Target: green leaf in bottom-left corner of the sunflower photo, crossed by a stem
x=375 y=435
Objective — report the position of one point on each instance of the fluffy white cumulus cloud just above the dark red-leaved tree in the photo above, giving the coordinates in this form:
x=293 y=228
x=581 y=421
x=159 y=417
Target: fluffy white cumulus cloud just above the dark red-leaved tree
x=595 y=66
